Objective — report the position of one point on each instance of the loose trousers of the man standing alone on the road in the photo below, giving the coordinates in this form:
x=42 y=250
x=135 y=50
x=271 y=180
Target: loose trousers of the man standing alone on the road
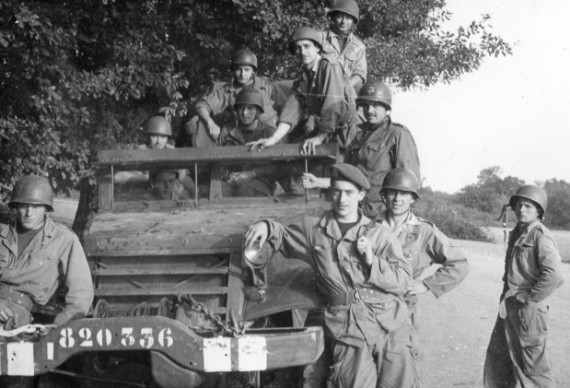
x=517 y=355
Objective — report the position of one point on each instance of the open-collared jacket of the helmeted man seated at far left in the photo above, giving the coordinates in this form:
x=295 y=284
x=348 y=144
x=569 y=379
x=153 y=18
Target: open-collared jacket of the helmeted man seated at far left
x=54 y=255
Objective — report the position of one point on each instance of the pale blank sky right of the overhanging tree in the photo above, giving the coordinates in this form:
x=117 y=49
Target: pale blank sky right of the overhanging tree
x=511 y=112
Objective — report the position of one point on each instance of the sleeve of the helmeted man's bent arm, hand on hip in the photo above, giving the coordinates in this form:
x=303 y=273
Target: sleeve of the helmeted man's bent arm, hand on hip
x=454 y=265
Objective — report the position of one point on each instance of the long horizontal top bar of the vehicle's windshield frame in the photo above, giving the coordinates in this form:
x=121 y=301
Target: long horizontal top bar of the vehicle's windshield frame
x=170 y=158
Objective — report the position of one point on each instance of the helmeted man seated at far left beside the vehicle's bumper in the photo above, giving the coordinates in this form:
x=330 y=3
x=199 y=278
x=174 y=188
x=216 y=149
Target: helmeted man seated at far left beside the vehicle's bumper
x=37 y=256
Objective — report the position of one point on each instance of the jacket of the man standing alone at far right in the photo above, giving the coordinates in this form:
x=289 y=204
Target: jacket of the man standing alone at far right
x=533 y=263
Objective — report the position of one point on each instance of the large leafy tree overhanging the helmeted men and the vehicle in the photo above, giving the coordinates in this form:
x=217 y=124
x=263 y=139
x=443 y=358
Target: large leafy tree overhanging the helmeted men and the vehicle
x=78 y=76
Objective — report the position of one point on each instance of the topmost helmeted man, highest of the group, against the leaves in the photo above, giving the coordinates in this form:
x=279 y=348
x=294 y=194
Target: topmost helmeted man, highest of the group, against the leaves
x=340 y=42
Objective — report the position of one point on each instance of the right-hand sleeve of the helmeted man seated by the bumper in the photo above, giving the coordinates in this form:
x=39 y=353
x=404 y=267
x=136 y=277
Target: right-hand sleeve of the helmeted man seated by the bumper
x=78 y=282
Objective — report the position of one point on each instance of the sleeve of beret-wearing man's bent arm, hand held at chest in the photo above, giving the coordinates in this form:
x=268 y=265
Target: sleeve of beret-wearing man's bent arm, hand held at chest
x=390 y=271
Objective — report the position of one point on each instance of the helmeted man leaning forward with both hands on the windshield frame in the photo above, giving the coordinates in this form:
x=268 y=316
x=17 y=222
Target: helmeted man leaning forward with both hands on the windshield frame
x=323 y=91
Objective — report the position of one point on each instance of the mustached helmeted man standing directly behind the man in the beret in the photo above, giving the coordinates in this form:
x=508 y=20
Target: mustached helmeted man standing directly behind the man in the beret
x=379 y=146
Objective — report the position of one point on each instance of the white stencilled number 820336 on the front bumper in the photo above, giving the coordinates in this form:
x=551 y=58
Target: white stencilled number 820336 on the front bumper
x=144 y=338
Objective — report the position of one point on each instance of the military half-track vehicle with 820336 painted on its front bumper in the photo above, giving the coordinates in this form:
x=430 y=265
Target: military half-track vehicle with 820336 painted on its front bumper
x=175 y=304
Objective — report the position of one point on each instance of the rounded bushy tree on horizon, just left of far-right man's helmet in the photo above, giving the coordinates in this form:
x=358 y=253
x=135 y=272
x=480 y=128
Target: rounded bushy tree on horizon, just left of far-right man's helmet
x=490 y=192
